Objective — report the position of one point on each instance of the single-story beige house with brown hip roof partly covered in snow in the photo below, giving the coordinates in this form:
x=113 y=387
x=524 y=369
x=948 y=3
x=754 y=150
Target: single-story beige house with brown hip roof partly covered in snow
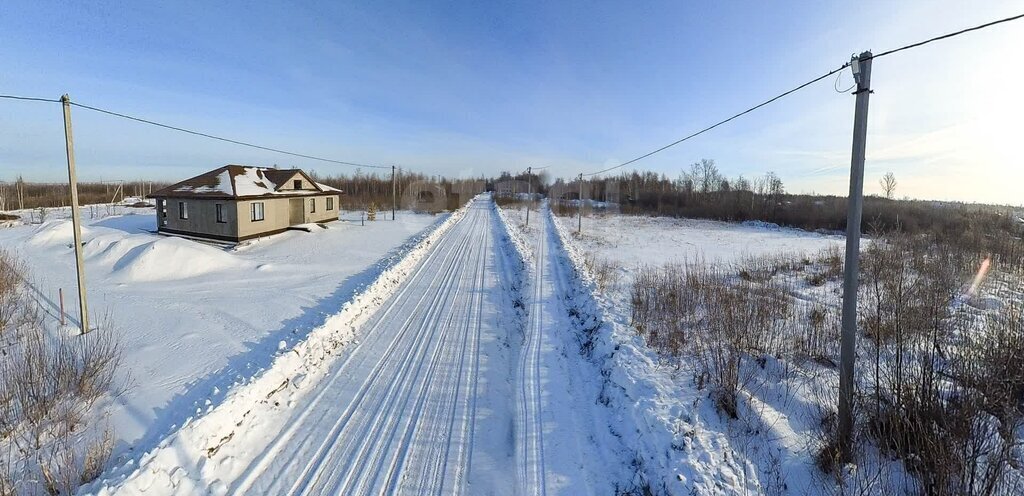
x=238 y=202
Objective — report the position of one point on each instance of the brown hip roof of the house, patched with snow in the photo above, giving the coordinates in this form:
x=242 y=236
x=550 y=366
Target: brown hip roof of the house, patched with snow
x=232 y=182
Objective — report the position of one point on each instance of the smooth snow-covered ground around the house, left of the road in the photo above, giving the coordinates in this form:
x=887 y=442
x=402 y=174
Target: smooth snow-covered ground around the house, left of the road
x=193 y=319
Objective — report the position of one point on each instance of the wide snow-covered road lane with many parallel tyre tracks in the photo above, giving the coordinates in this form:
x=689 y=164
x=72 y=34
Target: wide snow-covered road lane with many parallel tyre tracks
x=401 y=411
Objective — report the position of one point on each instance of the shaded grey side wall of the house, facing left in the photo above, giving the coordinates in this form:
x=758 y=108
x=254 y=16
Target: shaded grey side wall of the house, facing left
x=202 y=218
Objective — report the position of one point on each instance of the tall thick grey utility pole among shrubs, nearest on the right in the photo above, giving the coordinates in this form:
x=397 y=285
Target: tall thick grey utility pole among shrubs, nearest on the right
x=863 y=74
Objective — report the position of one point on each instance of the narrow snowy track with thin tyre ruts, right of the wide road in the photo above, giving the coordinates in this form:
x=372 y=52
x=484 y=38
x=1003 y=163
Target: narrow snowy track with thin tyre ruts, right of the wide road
x=563 y=437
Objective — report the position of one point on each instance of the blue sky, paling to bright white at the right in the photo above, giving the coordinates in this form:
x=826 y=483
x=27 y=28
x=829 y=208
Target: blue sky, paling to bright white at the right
x=471 y=89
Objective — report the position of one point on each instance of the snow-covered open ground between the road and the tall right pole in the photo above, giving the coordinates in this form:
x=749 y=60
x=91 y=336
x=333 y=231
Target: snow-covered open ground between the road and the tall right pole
x=770 y=451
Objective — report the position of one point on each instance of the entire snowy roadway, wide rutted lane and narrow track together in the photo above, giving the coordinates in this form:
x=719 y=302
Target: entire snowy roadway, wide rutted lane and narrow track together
x=448 y=389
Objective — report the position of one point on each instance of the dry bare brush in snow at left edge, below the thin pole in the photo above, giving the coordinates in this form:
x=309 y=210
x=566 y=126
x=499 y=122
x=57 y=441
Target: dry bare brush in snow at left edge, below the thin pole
x=50 y=398
